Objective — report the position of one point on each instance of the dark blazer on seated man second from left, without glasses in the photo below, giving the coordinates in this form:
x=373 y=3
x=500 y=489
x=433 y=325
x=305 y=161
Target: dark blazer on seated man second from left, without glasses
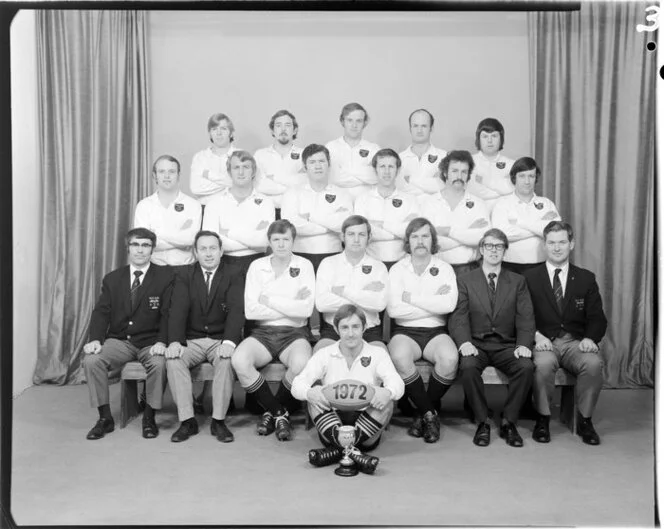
x=194 y=314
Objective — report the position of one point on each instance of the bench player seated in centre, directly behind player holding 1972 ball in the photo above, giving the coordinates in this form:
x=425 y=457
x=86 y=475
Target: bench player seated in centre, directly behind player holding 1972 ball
x=352 y=277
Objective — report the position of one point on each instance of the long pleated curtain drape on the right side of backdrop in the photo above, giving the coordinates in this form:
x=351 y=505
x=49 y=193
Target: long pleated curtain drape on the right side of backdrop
x=594 y=129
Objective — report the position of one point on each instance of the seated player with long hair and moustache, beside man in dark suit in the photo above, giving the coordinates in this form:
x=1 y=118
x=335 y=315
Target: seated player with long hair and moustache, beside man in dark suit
x=423 y=292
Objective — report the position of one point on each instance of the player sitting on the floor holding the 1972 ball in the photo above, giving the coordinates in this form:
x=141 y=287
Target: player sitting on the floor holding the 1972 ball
x=349 y=358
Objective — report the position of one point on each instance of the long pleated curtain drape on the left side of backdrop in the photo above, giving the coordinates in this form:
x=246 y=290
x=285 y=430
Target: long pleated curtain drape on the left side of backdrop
x=94 y=167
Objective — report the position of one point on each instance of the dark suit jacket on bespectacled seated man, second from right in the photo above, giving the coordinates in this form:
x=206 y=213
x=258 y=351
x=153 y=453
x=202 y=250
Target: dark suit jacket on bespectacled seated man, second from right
x=512 y=317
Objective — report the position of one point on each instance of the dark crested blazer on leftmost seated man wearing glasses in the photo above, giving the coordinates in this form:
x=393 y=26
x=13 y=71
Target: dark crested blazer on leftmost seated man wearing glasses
x=147 y=324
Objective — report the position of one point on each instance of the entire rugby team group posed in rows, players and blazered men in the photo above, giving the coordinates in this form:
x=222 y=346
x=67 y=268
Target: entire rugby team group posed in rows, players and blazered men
x=388 y=257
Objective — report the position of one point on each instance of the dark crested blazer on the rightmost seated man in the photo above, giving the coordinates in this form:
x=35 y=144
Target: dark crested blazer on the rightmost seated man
x=582 y=314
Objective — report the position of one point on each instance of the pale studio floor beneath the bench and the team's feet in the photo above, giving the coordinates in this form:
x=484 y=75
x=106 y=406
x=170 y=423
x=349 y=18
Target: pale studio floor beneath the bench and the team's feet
x=60 y=478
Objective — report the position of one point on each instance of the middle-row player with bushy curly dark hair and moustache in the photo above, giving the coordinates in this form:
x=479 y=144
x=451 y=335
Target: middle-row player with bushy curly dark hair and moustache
x=460 y=218
